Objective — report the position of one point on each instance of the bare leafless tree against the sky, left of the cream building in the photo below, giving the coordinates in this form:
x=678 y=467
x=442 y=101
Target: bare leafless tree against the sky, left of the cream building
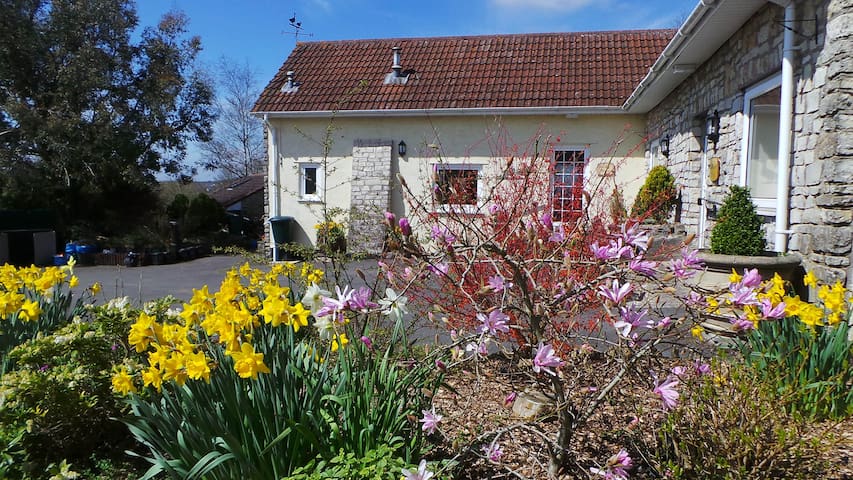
x=237 y=148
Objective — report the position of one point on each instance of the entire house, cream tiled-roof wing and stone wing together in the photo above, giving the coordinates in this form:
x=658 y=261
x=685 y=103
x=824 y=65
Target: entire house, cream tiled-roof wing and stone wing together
x=746 y=92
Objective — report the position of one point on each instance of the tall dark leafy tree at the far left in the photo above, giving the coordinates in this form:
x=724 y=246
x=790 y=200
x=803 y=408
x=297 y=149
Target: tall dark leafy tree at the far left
x=88 y=117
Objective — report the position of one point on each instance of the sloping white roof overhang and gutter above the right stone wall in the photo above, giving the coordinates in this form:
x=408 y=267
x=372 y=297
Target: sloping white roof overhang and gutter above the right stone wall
x=707 y=28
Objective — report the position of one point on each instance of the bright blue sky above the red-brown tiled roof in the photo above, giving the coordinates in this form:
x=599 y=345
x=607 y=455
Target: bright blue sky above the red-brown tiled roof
x=258 y=31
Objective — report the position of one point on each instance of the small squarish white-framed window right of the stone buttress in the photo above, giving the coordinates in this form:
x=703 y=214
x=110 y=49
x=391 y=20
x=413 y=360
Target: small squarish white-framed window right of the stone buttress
x=457 y=186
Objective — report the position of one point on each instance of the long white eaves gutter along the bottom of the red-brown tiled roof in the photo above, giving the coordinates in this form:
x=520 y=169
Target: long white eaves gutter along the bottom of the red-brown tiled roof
x=569 y=112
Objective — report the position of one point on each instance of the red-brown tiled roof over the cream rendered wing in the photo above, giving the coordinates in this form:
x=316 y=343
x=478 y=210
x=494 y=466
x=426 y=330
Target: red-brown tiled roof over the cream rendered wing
x=587 y=69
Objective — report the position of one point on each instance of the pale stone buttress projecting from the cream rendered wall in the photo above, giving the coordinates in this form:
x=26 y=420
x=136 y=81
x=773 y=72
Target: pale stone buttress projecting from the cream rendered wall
x=370 y=194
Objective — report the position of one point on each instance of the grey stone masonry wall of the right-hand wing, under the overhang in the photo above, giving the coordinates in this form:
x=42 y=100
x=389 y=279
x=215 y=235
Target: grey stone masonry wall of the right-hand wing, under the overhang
x=822 y=141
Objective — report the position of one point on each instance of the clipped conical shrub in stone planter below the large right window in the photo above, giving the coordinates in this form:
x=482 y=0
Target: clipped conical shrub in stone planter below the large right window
x=737 y=243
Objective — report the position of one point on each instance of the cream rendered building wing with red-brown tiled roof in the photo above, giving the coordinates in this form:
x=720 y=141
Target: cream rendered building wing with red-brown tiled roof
x=343 y=118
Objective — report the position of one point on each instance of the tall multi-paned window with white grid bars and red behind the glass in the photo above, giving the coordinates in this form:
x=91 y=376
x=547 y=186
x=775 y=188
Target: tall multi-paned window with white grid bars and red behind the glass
x=567 y=194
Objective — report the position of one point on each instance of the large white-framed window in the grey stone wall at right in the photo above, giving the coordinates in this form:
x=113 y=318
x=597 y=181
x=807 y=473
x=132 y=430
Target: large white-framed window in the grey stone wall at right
x=759 y=155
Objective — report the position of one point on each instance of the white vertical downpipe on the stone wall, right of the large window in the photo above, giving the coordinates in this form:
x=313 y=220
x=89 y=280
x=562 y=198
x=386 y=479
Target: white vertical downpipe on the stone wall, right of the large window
x=786 y=115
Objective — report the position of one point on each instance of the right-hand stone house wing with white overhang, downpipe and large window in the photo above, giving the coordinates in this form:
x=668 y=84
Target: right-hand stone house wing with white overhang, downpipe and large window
x=760 y=94
